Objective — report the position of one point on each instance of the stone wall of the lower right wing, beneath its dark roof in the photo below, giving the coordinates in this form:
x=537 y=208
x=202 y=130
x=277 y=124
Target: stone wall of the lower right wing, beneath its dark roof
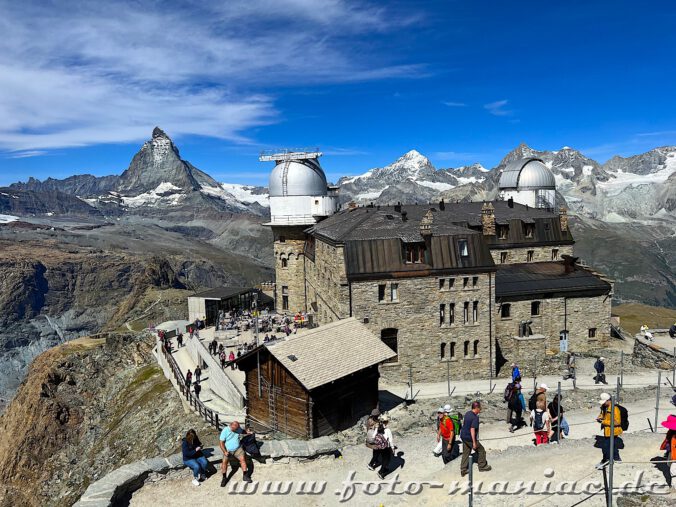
x=579 y=315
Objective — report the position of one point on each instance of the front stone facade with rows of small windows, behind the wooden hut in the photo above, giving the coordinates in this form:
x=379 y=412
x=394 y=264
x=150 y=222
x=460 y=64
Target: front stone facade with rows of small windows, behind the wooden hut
x=420 y=334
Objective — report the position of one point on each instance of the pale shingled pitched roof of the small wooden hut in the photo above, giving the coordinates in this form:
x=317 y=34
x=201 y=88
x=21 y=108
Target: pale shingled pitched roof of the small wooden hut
x=330 y=352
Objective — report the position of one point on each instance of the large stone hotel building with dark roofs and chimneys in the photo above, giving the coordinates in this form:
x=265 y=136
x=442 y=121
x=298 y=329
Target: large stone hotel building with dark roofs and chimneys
x=470 y=286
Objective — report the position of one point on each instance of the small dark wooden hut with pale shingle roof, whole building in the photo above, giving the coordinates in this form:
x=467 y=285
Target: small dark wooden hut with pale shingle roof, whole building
x=316 y=383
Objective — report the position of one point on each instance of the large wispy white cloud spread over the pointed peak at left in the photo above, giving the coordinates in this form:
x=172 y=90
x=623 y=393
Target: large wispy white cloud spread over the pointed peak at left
x=81 y=73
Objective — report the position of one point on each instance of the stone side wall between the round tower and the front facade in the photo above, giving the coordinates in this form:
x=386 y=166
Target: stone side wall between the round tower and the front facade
x=328 y=293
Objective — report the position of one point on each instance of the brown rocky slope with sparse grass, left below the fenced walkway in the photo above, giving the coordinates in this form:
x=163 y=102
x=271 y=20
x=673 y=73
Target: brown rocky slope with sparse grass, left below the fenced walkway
x=86 y=408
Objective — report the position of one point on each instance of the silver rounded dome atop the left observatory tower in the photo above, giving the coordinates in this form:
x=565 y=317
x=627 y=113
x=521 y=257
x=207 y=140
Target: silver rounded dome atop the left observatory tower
x=297 y=177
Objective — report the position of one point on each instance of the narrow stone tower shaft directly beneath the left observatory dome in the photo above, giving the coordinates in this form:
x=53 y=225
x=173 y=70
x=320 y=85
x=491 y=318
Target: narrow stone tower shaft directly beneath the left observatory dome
x=289 y=246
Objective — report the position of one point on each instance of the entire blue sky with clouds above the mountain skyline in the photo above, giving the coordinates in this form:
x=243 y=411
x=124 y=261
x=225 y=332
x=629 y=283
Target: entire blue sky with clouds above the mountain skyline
x=82 y=84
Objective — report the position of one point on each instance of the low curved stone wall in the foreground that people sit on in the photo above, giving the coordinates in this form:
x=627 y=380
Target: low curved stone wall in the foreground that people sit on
x=120 y=483
